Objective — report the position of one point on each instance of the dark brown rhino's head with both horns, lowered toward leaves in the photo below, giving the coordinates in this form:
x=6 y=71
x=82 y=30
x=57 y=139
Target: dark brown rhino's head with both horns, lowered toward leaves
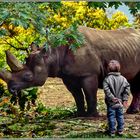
x=33 y=73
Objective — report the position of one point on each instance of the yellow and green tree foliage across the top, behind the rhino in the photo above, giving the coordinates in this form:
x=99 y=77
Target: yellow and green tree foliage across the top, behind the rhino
x=23 y=23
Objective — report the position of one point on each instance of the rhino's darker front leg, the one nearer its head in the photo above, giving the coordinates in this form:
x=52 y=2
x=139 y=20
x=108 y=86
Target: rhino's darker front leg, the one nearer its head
x=73 y=85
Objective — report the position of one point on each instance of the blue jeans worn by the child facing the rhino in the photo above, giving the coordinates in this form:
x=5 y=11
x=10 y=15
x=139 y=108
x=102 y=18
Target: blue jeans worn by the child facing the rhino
x=115 y=115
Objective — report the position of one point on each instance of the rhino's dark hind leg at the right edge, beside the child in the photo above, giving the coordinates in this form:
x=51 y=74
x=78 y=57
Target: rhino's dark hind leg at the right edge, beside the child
x=135 y=90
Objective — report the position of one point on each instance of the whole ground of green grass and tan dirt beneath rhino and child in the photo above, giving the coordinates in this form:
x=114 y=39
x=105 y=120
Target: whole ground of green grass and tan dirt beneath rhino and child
x=54 y=117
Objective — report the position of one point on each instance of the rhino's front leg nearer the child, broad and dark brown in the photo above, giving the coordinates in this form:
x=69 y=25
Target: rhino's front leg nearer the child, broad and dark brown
x=90 y=86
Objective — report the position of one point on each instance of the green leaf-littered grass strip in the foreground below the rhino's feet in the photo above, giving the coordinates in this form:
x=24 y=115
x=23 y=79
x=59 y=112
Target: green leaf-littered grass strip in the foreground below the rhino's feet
x=53 y=125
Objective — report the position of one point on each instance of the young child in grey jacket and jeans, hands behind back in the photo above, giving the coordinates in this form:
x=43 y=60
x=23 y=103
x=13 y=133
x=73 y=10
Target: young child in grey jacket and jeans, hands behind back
x=116 y=90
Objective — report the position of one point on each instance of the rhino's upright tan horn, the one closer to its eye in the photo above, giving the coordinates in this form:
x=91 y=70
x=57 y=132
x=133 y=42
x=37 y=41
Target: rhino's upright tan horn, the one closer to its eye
x=13 y=63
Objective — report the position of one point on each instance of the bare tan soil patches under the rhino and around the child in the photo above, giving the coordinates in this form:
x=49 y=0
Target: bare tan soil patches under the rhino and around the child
x=54 y=94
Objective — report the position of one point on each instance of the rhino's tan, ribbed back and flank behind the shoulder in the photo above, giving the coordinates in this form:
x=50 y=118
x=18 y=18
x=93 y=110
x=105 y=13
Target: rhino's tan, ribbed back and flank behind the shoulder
x=122 y=45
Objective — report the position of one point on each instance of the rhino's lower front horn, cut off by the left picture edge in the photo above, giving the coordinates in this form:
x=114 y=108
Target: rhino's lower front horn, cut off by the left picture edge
x=5 y=75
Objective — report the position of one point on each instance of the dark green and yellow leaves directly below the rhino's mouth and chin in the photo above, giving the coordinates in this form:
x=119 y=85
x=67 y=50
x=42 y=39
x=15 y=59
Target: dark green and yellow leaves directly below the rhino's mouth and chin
x=24 y=100
